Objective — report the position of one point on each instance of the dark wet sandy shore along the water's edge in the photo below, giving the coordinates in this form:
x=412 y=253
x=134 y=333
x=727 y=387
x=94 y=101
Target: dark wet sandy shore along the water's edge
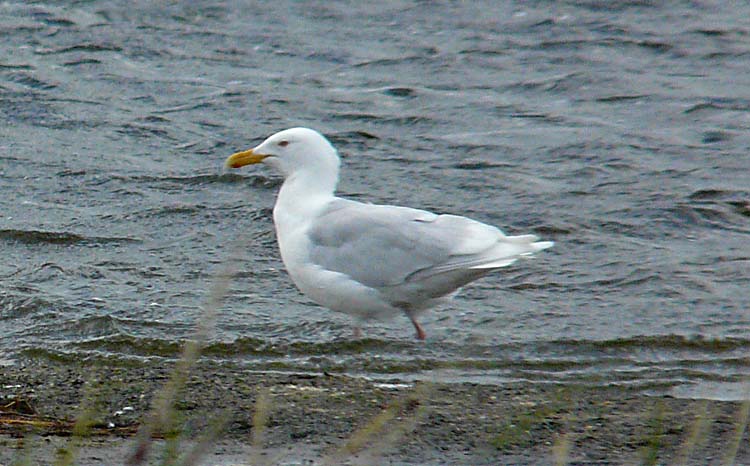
x=343 y=419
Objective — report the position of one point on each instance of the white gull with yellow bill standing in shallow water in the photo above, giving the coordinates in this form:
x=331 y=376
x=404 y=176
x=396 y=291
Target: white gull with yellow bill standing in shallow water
x=366 y=260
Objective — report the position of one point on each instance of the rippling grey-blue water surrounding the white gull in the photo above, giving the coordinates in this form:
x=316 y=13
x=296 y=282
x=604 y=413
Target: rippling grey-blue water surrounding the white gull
x=617 y=129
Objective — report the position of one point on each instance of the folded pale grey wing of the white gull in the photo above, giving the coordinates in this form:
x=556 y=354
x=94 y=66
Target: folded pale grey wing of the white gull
x=381 y=246
